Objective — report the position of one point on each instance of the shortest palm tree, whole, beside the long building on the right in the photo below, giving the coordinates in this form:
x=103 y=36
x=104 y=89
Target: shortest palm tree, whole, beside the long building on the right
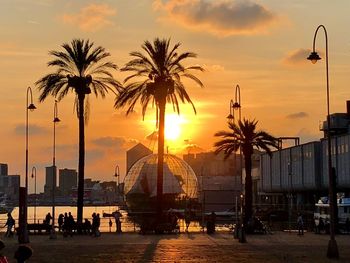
x=244 y=136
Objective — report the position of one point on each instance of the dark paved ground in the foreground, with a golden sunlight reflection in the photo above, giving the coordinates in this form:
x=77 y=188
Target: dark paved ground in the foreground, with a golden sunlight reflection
x=196 y=247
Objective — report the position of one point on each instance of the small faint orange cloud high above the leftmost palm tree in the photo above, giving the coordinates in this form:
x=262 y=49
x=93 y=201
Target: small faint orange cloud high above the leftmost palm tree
x=91 y=17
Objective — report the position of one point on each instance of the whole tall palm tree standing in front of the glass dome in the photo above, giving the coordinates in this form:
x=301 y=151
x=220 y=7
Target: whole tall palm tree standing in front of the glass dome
x=156 y=78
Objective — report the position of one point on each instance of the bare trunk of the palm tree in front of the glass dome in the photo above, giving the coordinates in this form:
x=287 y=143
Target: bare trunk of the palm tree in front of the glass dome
x=161 y=105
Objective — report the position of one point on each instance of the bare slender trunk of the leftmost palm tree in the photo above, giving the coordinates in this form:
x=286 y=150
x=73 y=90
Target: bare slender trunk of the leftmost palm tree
x=80 y=203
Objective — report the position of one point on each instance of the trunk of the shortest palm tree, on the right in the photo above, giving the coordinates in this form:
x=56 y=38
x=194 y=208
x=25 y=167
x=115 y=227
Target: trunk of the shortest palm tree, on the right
x=248 y=187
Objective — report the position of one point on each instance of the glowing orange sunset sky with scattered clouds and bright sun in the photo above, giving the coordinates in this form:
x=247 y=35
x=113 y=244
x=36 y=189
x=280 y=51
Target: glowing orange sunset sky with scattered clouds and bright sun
x=261 y=45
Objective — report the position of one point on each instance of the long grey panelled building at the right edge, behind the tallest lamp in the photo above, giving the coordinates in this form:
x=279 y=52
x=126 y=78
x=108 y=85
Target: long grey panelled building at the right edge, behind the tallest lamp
x=301 y=172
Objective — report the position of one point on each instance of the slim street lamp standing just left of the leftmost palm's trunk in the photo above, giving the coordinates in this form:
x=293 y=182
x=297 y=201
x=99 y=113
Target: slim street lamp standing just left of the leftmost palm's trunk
x=55 y=120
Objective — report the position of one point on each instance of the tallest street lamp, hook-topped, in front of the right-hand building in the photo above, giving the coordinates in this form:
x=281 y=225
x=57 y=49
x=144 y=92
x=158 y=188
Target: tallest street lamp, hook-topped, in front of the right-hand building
x=332 y=251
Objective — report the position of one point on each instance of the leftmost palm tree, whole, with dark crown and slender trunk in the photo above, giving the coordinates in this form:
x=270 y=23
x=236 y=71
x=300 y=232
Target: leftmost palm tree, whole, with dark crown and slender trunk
x=80 y=68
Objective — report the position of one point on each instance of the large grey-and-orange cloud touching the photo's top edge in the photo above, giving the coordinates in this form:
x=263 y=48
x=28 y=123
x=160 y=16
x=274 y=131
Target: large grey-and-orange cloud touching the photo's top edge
x=224 y=17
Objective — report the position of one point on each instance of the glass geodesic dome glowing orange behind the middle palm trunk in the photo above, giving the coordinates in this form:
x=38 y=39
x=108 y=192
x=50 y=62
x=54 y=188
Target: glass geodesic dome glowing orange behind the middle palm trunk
x=178 y=177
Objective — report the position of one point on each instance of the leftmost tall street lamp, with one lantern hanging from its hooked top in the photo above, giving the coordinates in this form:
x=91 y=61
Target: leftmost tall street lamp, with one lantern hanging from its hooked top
x=29 y=107
